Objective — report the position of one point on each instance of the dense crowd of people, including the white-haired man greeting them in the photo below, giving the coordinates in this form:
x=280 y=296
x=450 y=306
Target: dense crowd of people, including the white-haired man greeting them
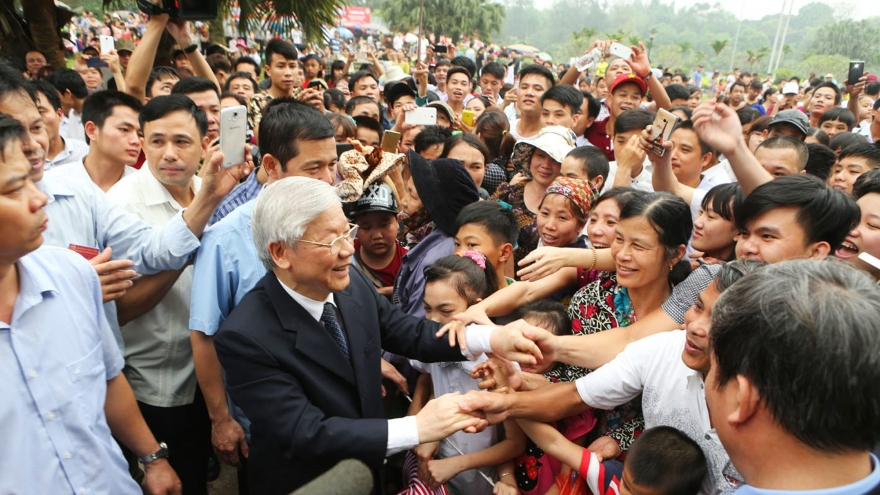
x=528 y=293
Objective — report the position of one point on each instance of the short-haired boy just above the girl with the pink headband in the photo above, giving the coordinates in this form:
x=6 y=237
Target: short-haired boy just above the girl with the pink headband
x=490 y=228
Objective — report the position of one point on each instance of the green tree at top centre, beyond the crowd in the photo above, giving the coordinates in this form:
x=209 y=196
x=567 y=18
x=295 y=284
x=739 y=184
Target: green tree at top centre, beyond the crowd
x=448 y=17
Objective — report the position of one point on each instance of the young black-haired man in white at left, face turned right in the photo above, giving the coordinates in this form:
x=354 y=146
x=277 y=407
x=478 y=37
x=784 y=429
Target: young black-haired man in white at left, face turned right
x=112 y=129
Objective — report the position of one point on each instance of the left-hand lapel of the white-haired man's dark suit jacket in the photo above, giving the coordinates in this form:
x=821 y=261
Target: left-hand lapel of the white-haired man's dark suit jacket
x=312 y=339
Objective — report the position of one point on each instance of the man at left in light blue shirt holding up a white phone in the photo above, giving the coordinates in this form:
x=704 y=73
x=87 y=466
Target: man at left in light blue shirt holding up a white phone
x=83 y=216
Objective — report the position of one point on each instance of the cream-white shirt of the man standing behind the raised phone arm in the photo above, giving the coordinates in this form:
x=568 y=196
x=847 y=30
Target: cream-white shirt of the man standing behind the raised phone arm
x=158 y=354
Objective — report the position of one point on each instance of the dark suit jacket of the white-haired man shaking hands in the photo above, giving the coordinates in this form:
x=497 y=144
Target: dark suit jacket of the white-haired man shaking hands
x=309 y=408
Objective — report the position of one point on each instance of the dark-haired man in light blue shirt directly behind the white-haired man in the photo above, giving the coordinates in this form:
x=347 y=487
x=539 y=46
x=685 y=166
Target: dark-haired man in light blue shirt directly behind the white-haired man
x=296 y=140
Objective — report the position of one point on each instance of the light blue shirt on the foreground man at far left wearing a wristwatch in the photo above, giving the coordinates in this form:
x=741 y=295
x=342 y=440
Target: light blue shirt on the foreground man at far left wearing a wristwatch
x=56 y=356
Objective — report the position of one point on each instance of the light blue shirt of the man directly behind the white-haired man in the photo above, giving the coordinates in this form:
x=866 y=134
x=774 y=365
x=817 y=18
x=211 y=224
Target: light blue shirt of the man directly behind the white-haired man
x=227 y=267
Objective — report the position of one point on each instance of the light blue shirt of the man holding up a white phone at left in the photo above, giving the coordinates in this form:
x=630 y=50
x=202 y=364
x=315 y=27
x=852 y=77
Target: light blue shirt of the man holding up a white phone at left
x=80 y=213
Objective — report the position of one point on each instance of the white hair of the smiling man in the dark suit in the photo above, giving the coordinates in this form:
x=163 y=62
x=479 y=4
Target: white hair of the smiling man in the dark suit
x=285 y=209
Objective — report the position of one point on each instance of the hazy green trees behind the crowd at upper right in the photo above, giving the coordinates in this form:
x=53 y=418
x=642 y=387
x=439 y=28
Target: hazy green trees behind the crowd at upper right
x=685 y=36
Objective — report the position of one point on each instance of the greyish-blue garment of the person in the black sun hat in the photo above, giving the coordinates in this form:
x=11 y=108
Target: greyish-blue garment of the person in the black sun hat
x=409 y=287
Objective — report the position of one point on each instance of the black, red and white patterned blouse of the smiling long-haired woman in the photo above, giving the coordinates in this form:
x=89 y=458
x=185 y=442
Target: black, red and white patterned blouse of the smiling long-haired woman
x=596 y=307
